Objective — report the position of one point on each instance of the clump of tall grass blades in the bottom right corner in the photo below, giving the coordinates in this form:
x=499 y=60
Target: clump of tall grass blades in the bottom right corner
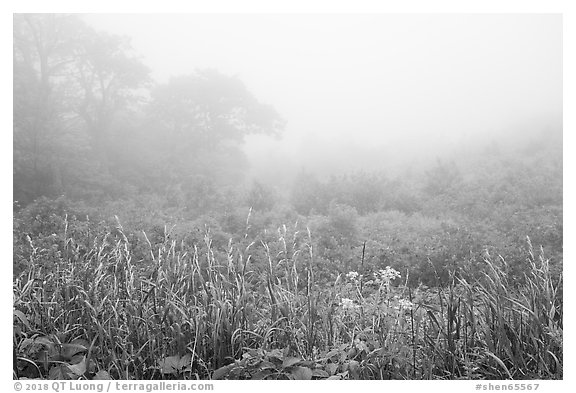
x=497 y=330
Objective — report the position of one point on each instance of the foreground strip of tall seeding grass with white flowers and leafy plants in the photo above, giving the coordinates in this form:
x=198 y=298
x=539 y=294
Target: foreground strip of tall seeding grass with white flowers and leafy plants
x=255 y=311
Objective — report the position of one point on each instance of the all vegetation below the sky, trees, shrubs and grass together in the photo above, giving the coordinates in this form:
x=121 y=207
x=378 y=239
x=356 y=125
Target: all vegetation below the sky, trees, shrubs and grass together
x=140 y=250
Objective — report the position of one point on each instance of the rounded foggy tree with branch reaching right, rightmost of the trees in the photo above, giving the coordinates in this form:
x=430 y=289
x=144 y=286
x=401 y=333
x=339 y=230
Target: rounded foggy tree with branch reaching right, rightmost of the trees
x=197 y=126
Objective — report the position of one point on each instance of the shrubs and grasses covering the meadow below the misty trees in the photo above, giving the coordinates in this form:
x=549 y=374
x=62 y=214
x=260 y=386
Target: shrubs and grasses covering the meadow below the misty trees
x=256 y=285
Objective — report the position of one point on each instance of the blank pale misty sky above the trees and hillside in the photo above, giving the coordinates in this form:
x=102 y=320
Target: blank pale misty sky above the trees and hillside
x=375 y=84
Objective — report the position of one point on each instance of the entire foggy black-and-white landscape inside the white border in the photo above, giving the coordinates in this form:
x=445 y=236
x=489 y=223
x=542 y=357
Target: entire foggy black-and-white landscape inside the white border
x=287 y=196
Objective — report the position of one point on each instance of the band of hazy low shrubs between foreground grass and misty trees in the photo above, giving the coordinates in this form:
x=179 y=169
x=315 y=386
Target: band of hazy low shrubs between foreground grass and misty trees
x=427 y=235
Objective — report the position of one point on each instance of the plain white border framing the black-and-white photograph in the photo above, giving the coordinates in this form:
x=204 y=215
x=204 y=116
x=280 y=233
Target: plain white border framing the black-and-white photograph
x=298 y=6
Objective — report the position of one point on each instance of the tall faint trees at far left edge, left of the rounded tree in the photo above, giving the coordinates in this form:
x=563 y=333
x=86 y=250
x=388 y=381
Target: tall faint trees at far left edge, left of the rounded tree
x=70 y=84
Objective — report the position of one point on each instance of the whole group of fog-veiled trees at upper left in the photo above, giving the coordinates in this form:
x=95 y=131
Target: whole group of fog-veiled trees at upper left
x=90 y=122
